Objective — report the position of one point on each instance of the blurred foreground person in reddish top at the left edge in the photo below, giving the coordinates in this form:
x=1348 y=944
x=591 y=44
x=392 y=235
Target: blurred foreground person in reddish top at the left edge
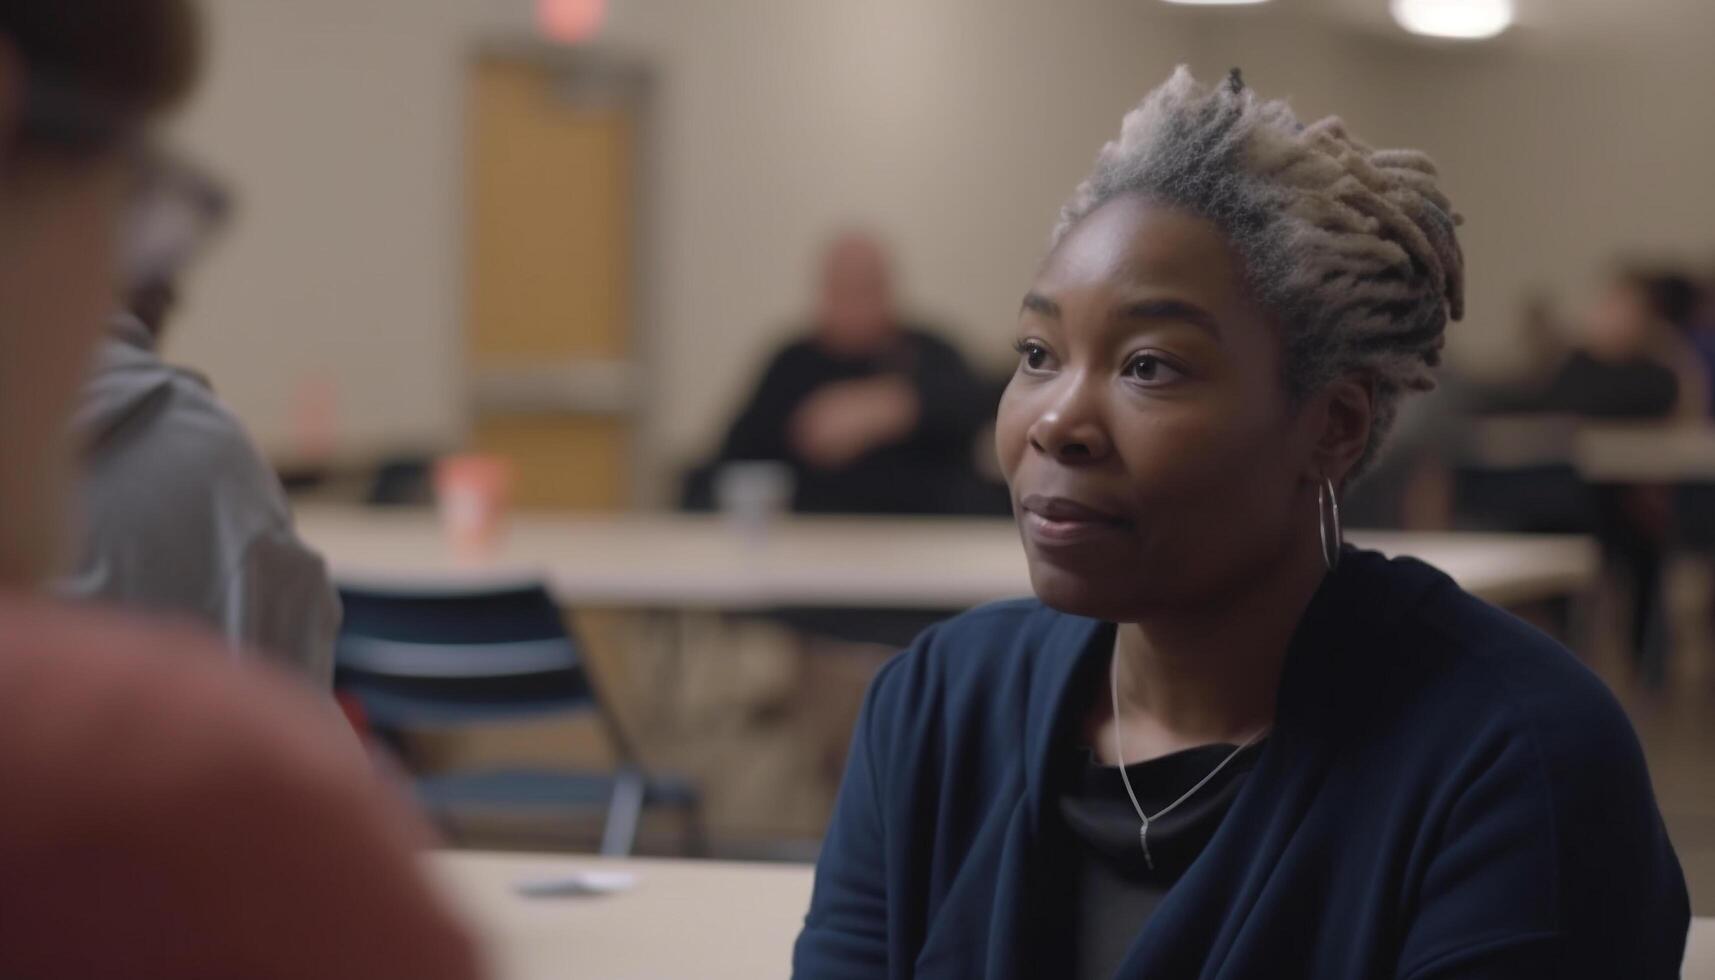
x=162 y=814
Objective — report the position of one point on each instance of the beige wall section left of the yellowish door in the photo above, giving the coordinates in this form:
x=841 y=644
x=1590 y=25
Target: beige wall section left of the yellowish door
x=339 y=124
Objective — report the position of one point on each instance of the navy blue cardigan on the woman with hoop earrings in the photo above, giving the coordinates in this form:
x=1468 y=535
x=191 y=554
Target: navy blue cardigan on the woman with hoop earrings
x=1447 y=794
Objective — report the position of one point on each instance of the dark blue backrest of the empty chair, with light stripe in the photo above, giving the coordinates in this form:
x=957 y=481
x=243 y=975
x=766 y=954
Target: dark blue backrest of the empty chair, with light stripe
x=435 y=658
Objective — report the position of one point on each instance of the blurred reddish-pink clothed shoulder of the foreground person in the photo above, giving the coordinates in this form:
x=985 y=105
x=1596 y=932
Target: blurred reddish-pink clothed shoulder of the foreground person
x=129 y=737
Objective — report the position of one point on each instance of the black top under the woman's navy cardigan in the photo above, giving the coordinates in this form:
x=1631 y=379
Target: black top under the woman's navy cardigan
x=1114 y=888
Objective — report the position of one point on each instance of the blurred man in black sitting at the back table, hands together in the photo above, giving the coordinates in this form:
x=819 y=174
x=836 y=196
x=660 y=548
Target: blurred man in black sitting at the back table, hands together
x=874 y=414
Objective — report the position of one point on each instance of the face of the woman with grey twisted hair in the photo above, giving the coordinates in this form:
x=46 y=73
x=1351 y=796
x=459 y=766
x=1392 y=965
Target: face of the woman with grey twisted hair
x=1146 y=435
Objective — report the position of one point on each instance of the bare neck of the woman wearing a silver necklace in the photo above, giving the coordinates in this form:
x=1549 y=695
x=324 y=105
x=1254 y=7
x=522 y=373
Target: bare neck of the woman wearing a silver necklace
x=1193 y=677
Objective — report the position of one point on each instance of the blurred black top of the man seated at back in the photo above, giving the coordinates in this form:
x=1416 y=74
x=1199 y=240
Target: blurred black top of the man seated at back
x=930 y=471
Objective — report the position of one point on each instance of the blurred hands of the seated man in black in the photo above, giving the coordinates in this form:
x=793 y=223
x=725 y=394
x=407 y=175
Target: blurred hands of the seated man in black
x=845 y=421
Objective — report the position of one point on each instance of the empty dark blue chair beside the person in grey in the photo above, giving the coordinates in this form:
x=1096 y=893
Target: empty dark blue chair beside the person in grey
x=460 y=658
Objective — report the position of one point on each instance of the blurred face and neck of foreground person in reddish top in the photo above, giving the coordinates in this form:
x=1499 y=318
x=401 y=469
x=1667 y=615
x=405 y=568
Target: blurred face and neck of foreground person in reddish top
x=57 y=233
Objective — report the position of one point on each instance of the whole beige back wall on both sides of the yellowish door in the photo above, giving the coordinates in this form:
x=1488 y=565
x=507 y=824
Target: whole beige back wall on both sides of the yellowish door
x=954 y=126
